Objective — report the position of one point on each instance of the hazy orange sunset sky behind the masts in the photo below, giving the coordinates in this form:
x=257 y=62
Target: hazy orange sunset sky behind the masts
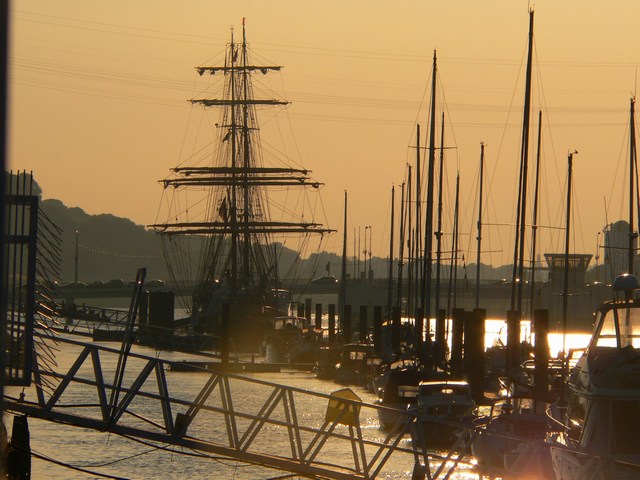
x=98 y=101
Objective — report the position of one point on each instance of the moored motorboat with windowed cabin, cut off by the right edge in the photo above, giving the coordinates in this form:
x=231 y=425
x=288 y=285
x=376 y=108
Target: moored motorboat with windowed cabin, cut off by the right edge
x=600 y=439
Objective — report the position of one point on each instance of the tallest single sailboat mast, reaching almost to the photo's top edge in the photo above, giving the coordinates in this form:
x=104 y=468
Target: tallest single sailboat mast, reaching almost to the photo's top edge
x=518 y=253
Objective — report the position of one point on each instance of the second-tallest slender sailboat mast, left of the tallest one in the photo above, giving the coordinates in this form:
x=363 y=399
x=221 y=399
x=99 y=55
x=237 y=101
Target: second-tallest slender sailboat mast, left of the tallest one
x=428 y=231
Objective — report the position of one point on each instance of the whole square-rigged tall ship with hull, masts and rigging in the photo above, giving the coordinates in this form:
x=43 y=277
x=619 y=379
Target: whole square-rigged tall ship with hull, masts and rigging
x=224 y=241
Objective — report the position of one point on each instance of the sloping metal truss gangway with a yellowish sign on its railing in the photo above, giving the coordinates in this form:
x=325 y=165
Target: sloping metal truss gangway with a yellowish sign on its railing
x=328 y=436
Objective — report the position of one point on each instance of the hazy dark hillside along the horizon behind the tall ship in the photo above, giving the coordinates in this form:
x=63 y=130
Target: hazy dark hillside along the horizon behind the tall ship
x=111 y=247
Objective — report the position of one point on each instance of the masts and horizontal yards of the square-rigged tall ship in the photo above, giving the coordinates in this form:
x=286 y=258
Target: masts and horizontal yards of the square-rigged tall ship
x=236 y=223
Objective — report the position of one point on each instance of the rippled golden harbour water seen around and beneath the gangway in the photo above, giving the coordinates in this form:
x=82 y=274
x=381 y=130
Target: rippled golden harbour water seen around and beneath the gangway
x=119 y=457
